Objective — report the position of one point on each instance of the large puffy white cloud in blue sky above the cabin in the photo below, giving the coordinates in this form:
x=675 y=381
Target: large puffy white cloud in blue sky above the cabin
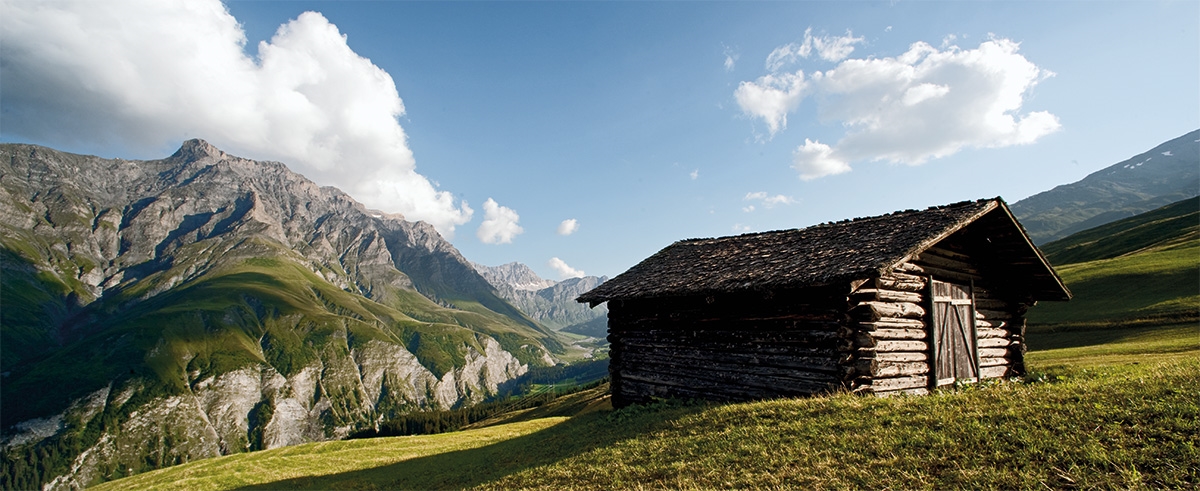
x=925 y=104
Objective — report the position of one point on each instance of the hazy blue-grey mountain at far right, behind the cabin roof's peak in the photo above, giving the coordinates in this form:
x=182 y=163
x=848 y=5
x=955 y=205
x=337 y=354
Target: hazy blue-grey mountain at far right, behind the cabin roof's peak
x=1165 y=175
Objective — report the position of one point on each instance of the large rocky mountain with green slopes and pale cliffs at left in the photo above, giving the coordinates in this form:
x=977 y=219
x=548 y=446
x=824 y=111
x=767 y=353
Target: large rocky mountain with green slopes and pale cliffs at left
x=164 y=312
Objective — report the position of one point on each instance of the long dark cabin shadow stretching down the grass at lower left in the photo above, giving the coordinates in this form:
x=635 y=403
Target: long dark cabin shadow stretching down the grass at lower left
x=473 y=468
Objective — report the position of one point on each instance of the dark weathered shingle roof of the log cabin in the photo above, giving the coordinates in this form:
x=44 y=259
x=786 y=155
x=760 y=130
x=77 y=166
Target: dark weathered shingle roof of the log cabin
x=820 y=255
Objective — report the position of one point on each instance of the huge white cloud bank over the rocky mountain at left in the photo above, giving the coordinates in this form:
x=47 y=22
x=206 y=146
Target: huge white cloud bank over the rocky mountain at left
x=151 y=74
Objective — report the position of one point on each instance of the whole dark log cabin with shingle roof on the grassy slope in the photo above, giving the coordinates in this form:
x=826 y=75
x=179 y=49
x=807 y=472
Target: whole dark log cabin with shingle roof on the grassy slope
x=901 y=303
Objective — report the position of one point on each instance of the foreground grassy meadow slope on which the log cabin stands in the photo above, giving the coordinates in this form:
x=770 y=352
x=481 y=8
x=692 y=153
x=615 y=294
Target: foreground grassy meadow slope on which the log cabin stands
x=1106 y=424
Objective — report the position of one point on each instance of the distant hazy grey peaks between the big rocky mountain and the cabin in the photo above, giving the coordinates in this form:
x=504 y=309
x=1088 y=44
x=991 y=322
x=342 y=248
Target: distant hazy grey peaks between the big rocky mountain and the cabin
x=550 y=303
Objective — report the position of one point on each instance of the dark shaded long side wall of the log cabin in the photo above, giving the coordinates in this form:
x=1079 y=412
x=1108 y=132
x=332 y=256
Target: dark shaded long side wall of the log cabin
x=728 y=348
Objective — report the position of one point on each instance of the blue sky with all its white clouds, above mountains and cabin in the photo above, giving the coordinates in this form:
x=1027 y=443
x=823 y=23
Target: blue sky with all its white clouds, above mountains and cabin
x=645 y=123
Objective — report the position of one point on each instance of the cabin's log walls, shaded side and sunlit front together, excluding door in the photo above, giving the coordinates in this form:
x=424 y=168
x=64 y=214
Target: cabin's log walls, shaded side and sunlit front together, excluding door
x=872 y=338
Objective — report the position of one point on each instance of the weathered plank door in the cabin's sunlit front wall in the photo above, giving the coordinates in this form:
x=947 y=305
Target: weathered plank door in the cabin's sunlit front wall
x=956 y=351
